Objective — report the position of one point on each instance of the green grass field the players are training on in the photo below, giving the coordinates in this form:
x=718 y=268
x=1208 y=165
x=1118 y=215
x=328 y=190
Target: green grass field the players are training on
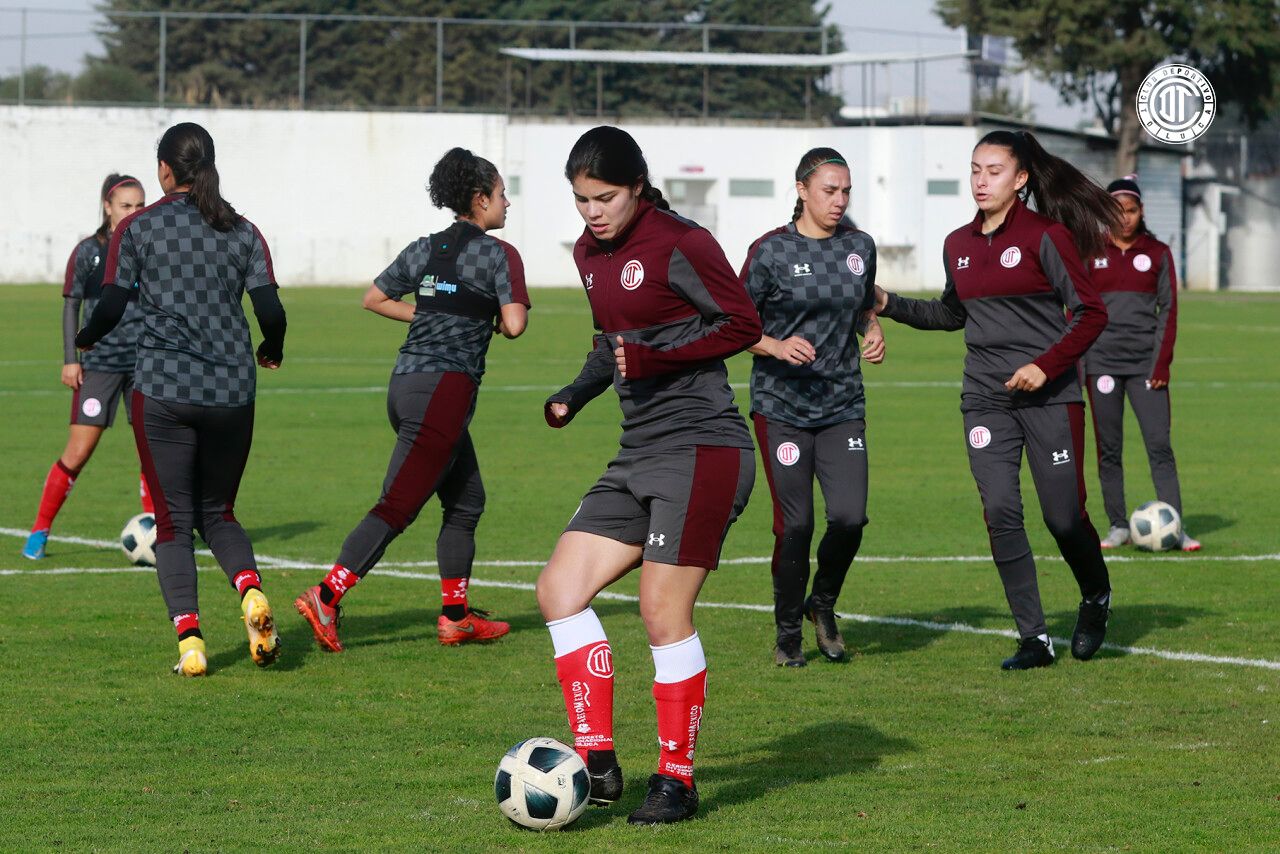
x=918 y=742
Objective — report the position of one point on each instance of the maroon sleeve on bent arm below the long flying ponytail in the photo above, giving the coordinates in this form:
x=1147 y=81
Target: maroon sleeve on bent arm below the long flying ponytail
x=1087 y=314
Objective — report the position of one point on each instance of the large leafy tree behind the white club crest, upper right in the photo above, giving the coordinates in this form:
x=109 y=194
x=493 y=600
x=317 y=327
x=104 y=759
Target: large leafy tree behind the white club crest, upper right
x=1100 y=51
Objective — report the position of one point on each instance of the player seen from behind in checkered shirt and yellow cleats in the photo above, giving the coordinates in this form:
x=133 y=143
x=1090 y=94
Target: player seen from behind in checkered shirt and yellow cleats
x=194 y=258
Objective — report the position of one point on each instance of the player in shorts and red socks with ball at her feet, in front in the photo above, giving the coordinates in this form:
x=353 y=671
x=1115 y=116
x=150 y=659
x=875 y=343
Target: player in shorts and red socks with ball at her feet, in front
x=669 y=310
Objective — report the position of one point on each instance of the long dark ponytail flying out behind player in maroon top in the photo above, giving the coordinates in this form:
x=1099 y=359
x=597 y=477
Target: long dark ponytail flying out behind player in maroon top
x=1062 y=191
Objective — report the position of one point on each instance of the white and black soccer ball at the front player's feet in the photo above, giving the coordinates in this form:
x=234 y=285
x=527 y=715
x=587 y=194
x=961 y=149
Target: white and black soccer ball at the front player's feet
x=542 y=786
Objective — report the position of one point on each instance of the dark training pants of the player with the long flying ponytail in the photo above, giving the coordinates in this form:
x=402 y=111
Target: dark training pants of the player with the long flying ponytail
x=1054 y=439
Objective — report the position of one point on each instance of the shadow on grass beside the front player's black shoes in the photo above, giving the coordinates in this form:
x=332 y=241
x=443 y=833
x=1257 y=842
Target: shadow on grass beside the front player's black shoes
x=812 y=755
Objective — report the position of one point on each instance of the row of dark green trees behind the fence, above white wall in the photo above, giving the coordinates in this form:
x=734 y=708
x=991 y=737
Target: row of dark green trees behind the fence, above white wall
x=373 y=63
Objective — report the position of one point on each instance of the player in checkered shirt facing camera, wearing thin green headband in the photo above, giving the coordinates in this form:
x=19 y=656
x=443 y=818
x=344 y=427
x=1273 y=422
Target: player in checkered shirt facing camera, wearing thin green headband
x=813 y=284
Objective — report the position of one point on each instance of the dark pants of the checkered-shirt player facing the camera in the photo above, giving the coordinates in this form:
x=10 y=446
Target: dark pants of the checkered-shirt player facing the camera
x=793 y=456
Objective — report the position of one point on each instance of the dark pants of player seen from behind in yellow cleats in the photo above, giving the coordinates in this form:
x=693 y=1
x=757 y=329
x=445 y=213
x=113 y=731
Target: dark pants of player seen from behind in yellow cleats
x=193 y=459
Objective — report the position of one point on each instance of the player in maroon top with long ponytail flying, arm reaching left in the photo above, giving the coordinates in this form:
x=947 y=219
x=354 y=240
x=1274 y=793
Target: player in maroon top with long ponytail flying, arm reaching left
x=1011 y=275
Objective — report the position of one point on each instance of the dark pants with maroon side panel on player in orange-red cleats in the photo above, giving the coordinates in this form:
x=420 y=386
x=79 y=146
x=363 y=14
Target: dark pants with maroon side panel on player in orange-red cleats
x=433 y=455
